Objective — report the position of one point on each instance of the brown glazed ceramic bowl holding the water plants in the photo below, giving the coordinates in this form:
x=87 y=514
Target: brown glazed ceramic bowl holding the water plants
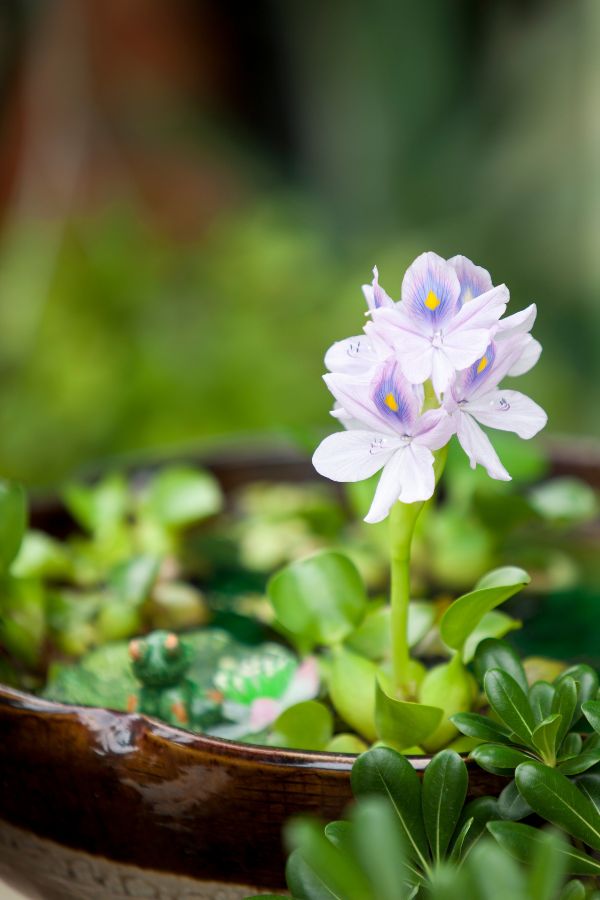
x=100 y=804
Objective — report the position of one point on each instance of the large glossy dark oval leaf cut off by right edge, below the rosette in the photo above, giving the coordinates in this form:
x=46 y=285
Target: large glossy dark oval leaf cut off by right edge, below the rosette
x=554 y=797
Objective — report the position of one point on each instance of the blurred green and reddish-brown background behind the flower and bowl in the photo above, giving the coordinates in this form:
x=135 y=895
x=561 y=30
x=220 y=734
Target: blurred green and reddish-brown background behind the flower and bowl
x=192 y=194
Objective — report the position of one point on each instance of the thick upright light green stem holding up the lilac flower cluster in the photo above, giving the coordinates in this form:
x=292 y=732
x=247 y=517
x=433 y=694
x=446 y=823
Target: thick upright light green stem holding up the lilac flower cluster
x=403 y=518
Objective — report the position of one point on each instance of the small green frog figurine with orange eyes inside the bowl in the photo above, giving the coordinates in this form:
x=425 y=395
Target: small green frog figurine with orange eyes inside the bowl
x=161 y=662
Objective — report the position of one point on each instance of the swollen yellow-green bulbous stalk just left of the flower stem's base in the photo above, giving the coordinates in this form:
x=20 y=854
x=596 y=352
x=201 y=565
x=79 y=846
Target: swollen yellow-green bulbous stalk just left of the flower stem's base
x=352 y=683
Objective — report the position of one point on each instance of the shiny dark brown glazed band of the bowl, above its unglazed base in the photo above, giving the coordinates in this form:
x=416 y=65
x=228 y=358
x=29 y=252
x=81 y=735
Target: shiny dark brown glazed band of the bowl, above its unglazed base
x=136 y=791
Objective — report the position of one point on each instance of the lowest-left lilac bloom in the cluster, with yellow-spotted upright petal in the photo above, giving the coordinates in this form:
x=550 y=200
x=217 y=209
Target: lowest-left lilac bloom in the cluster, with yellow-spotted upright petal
x=388 y=433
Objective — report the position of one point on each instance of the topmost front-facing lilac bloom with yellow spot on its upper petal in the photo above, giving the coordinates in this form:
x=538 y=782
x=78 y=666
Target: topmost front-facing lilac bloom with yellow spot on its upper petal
x=435 y=330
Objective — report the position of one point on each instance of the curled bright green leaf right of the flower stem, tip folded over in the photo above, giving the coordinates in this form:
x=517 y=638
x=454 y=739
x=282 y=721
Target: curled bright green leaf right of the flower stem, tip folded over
x=465 y=614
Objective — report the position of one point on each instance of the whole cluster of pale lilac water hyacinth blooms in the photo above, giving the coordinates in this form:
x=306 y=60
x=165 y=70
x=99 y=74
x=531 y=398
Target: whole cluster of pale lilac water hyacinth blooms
x=428 y=367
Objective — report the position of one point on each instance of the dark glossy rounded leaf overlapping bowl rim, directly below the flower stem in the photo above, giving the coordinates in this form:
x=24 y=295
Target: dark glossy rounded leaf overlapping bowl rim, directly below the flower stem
x=384 y=772
